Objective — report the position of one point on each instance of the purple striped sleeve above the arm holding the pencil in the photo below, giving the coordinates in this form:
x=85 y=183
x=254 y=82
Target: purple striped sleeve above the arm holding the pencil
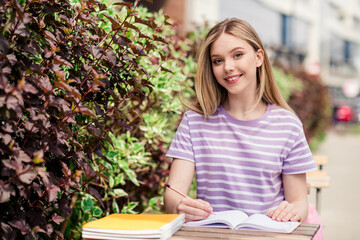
x=181 y=147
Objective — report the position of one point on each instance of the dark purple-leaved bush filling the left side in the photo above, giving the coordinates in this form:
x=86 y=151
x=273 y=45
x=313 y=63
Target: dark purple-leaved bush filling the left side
x=71 y=73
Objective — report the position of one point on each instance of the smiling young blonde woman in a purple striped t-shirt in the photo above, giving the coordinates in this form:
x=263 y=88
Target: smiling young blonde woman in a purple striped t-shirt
x=246 y=145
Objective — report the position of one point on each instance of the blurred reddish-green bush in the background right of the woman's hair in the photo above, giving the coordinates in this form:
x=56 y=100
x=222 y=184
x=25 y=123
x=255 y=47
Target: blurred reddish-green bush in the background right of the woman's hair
x=309 y=98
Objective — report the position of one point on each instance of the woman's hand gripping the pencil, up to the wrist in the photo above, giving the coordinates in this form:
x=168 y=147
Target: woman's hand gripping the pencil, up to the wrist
x=194 y=209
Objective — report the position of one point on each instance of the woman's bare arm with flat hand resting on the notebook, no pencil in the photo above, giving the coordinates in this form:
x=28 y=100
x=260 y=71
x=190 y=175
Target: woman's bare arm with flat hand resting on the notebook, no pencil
x=295 y=206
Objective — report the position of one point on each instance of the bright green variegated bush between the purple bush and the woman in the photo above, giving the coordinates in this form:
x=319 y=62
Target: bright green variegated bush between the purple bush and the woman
x=137 y=165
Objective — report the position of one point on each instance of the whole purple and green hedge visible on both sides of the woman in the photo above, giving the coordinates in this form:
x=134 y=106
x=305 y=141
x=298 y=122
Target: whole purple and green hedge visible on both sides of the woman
x=89 y=103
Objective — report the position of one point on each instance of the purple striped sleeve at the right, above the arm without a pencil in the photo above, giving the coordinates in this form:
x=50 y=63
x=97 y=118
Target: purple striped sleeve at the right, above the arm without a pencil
x=299 y=158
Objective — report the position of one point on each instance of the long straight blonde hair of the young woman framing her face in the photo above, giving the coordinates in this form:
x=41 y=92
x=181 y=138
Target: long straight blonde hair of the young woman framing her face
x=209 y=93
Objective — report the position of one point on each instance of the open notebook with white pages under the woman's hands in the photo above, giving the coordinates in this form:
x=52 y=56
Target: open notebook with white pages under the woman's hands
x=236 y=219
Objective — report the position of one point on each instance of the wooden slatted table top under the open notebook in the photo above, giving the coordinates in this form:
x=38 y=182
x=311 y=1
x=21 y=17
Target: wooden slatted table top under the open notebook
x=304 y=231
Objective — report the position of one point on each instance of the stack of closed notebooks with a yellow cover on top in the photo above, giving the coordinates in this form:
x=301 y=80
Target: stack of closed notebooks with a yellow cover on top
x=133 y=226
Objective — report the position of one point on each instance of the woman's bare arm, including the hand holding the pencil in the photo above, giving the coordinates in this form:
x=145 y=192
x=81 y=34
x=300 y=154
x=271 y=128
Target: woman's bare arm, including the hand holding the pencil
x=181 y=176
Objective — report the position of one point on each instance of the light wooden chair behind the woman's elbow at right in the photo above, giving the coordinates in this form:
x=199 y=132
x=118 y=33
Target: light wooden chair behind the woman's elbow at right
x=318 y=179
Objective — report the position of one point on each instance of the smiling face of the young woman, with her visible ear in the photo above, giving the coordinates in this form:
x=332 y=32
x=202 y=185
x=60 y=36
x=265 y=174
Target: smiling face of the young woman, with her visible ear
x=234 y=63
